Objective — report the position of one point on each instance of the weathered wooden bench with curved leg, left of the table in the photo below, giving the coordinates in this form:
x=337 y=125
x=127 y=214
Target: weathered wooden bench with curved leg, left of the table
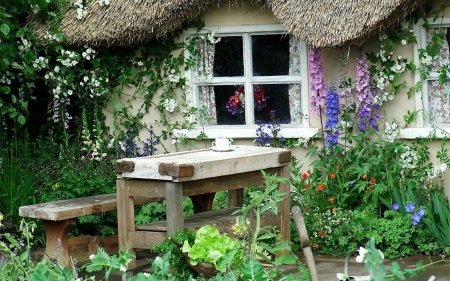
x=58 y=217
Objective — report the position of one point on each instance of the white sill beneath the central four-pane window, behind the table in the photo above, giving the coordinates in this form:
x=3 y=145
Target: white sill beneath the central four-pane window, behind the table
x=239 y=132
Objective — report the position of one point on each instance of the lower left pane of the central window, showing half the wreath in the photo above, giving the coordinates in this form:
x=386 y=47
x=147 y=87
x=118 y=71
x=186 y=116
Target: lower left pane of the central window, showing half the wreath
x=230 y=104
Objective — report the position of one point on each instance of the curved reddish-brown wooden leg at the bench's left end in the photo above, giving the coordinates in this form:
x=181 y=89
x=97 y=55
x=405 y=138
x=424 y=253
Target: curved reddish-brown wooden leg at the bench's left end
x=56 y=234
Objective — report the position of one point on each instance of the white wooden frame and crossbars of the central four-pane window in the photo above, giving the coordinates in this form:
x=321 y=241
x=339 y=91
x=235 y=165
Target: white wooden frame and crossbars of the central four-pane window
x=249 y=131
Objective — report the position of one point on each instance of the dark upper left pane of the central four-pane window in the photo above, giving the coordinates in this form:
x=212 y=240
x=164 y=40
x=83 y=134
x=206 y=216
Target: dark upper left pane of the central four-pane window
x=229 y=57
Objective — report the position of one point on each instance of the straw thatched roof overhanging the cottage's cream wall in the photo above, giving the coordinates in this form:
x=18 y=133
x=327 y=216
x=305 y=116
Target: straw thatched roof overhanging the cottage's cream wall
x=322 y=23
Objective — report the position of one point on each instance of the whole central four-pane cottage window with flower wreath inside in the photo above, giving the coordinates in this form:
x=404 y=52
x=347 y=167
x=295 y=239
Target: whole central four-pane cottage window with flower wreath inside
x=252 y=74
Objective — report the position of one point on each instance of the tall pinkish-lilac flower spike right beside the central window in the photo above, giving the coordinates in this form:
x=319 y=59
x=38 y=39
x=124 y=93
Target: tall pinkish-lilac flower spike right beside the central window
x=318 y=88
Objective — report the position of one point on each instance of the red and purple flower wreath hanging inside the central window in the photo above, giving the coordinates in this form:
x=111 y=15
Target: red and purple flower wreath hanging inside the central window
x=236 y=102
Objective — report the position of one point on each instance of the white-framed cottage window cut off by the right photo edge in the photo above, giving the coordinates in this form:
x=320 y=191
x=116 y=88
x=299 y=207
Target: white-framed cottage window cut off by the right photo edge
x=434 y=98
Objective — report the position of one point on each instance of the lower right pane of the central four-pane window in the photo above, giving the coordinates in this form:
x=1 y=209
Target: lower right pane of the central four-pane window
x=274 y=99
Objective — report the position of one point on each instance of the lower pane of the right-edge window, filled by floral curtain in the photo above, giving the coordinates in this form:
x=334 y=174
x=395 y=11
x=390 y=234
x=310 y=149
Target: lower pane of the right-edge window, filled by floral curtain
x=439 y=101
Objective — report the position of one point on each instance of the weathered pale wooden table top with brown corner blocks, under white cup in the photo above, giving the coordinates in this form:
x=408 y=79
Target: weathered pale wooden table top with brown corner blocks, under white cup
x=201 y=164
